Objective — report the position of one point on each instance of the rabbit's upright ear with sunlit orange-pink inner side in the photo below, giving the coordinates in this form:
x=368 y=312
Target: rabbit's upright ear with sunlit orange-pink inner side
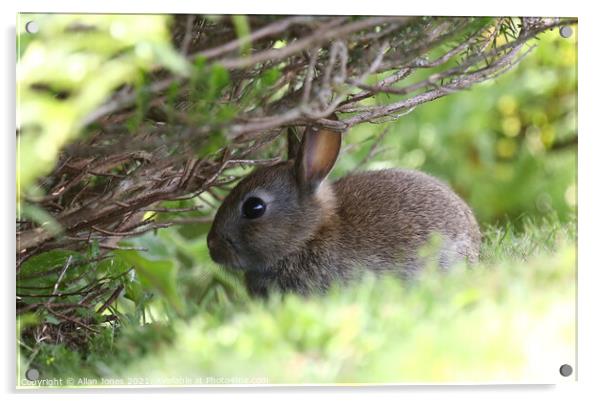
x=317 y=155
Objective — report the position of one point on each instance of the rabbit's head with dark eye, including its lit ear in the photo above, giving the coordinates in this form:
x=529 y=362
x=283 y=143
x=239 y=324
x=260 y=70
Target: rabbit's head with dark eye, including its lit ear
x=275 y=210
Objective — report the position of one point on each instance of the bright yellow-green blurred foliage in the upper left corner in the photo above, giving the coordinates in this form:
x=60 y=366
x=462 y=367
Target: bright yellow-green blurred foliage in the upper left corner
x=79 y=60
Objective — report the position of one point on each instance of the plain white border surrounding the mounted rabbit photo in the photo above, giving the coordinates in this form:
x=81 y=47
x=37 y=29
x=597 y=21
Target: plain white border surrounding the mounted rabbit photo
x=589 y=194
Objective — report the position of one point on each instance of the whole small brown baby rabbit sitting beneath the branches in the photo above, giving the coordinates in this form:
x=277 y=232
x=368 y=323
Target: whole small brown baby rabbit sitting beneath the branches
x=288 y=229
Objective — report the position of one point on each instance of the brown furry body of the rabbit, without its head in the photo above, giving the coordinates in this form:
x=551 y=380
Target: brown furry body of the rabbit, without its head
x=375 y=220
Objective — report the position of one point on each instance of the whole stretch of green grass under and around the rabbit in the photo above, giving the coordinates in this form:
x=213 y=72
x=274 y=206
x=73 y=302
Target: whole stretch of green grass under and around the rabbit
x=511 y=318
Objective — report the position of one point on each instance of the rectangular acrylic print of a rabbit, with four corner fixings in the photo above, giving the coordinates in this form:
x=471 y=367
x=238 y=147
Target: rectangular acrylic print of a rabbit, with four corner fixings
x=409 y=214
